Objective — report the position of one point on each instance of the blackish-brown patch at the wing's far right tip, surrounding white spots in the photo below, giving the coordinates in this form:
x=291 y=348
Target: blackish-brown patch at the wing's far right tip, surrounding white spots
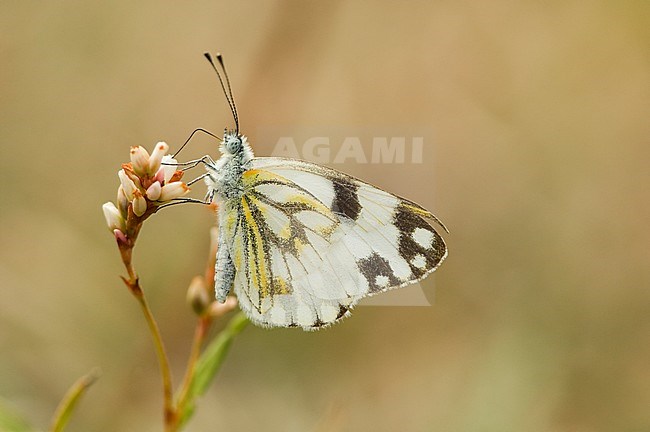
x=407 y=222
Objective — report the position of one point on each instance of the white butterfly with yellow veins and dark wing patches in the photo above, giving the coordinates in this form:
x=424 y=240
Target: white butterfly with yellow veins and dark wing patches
x=300 y=243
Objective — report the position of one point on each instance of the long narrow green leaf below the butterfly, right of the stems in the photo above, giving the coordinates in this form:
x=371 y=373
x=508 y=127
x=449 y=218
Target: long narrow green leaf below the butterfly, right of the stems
x=211 y=360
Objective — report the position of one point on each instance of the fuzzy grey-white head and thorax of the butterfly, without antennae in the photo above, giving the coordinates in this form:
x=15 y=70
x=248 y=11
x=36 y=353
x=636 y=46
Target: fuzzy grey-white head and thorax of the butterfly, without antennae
x=225 y=176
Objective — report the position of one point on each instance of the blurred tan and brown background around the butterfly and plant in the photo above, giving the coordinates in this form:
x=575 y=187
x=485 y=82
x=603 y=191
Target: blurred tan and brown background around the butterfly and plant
x=536 y=159
